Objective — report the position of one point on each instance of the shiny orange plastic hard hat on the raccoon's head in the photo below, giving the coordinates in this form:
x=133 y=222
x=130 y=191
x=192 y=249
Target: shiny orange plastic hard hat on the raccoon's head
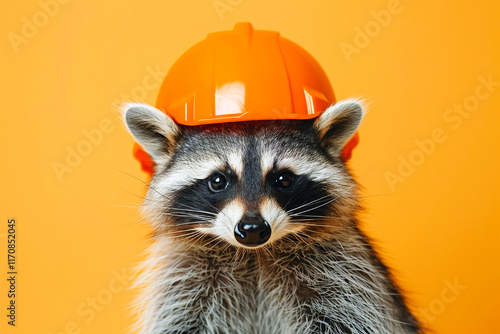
x=242 y=75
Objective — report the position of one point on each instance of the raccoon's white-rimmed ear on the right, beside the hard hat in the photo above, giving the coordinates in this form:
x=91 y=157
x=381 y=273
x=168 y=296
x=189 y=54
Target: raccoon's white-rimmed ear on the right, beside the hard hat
x=338 y=123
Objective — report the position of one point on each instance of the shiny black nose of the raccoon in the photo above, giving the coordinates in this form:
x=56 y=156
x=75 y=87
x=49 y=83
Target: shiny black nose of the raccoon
x=252 y=230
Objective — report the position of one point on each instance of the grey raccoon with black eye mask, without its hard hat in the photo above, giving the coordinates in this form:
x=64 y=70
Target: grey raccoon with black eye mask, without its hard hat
x=256 y=230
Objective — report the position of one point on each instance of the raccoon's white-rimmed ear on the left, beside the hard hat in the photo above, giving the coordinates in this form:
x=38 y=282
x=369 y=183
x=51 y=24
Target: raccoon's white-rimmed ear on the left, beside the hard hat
x=152 y=129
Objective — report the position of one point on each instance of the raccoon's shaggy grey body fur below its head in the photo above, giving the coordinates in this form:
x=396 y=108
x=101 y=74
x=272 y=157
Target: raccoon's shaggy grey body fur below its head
x=274 y=292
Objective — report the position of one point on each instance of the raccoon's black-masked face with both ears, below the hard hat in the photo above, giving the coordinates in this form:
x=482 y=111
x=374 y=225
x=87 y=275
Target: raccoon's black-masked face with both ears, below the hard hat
x=248 y=183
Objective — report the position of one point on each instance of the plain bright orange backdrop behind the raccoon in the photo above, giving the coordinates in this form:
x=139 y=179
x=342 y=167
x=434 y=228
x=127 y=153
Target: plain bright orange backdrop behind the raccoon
x=78 y=231
